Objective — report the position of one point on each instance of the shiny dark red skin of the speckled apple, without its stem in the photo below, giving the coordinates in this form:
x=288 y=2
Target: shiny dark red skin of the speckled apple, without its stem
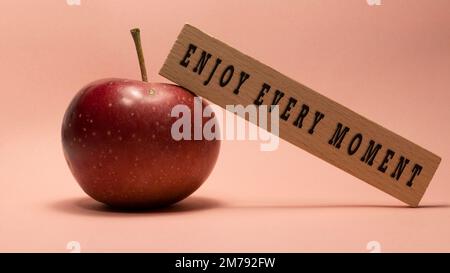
x=116 y=137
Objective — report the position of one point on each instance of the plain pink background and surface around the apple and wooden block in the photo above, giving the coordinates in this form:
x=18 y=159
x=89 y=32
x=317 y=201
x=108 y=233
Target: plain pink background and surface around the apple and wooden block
x=390 y=63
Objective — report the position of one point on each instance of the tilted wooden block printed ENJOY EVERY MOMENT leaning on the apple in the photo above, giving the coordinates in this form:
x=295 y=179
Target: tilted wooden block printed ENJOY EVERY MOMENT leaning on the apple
x=332 y=132
